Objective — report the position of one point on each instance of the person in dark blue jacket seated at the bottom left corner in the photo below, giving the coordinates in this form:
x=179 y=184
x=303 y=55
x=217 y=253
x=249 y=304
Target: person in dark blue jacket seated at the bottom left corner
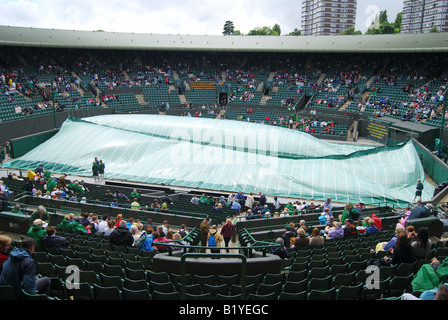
x=20 y=271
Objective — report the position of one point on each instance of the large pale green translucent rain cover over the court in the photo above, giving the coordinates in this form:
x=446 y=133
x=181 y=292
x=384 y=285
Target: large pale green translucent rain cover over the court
x=229 y=156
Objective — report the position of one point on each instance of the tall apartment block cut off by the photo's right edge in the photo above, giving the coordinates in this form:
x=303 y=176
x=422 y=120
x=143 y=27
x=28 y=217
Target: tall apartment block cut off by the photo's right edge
x=422 y=15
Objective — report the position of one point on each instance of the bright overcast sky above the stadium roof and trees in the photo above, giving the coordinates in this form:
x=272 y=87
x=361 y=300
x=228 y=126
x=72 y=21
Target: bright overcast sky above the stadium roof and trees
x=197 y=17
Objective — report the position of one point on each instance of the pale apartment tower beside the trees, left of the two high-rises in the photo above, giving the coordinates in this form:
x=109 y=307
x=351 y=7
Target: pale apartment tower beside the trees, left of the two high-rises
x=327 y=17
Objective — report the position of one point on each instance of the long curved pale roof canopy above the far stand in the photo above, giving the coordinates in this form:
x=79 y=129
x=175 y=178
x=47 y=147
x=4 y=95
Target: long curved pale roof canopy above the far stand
x=390 y=43
